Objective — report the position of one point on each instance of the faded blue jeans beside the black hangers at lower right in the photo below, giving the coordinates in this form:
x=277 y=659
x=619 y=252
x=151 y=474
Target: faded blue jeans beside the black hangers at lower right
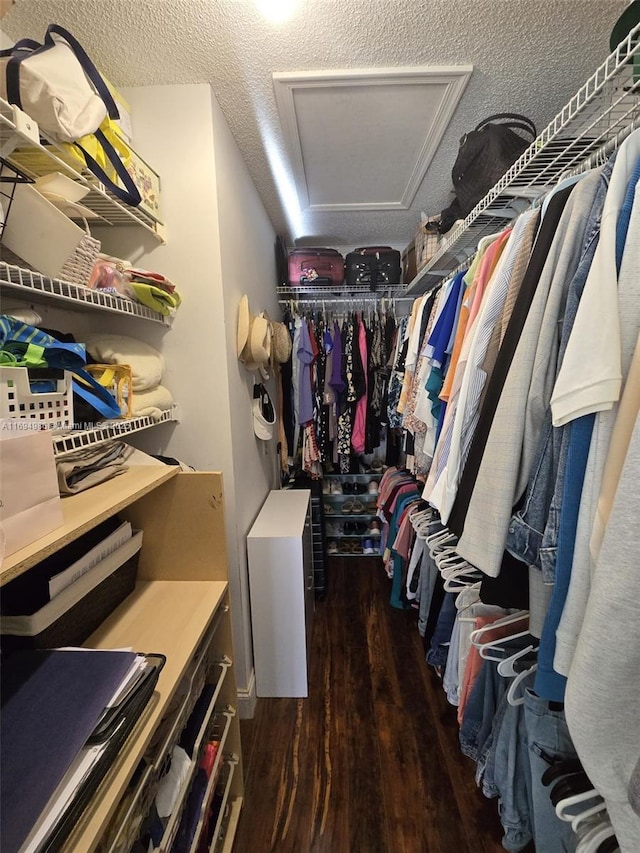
x=549 y=740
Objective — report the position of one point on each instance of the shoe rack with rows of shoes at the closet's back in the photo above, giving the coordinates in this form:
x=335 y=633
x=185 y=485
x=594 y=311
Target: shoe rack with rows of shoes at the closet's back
x=352 y=526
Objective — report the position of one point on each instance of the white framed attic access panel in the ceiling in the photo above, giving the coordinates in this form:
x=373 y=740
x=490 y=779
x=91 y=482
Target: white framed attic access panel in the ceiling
x=363 y=139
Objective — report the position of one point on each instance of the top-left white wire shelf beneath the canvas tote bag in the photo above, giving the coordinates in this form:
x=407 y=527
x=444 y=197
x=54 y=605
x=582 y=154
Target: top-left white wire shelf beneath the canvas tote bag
x=21 y=146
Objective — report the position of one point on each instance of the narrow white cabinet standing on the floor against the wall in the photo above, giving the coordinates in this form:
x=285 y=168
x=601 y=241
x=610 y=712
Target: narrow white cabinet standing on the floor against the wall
x=281 y=590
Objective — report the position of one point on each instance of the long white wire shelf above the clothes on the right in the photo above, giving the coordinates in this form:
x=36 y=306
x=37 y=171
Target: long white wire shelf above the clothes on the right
x=591 y=125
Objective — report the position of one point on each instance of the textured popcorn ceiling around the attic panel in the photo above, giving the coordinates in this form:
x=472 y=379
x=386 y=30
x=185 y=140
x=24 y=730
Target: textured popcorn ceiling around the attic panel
x=528 y=56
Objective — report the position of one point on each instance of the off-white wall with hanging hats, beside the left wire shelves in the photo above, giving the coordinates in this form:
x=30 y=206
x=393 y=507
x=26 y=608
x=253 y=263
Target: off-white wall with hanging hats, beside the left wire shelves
x=220 y=246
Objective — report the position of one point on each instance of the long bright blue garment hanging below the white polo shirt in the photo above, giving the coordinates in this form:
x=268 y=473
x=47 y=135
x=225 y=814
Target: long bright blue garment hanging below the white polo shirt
x=550 y=684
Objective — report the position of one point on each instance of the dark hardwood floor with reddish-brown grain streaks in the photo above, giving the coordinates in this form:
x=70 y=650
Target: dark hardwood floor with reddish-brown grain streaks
x=370 y=762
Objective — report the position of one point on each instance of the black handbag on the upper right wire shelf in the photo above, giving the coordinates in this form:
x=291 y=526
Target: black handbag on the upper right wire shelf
x=484 y=156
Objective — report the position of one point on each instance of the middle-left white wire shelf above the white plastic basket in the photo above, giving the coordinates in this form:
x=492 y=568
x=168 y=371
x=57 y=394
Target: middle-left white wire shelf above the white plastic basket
x=31 y=286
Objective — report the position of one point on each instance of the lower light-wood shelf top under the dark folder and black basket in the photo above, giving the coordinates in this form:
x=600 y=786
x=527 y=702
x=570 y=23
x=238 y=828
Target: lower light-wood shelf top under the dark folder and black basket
x=166 y=617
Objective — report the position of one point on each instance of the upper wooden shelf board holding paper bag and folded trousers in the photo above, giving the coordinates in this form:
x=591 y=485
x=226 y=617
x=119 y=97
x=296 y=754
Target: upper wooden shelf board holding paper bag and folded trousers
x=86 y=510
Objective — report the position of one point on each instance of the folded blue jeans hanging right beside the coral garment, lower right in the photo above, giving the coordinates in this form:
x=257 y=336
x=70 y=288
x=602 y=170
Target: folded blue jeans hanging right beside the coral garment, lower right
x=480 y=709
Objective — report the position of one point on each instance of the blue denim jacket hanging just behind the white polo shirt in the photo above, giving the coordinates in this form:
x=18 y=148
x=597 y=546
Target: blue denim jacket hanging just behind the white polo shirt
x=533 y=530
